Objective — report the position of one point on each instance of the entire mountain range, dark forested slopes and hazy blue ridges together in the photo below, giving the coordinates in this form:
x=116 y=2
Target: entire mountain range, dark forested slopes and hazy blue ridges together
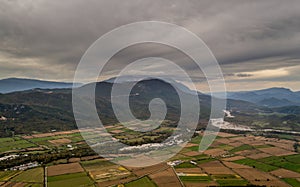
x=49 y=108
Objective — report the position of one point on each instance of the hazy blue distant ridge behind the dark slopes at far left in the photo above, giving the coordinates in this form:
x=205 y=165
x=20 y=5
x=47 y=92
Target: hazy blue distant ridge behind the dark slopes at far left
x=18 y=84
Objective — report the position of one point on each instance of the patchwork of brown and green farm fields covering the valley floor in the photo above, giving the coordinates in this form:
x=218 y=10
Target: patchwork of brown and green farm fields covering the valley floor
x=232 y=160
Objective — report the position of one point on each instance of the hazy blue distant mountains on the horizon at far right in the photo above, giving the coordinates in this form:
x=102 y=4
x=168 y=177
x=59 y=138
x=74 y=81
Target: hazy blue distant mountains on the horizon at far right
x=271 y=97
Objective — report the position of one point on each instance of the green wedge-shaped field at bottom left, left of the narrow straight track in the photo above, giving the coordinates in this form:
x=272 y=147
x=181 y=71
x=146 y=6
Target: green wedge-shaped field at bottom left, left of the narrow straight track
x=30 y=175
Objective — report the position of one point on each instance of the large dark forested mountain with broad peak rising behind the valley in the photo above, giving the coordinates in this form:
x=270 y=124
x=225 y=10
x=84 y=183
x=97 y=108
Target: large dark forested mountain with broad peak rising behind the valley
x=45 y=109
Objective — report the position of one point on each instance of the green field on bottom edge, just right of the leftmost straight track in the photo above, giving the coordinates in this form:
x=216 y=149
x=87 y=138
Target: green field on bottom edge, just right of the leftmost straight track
x=70 y=180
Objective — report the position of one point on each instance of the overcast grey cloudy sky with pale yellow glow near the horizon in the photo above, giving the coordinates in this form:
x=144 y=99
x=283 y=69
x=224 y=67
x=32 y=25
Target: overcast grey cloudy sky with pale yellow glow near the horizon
x=255 y=42
